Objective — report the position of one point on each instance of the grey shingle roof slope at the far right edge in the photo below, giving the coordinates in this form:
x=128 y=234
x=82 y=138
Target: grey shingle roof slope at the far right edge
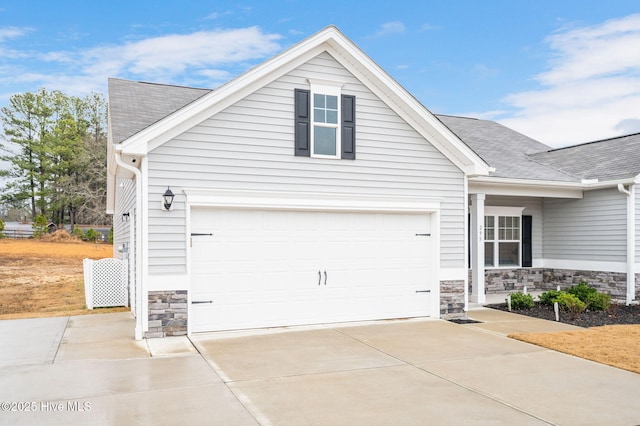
x=605 y=160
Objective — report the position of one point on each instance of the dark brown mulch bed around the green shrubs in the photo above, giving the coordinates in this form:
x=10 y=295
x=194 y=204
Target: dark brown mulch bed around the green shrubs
x=618 y=314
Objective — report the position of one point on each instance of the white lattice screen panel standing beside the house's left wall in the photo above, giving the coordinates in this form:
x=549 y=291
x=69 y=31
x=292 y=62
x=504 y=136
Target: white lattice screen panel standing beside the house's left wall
x=105 y=283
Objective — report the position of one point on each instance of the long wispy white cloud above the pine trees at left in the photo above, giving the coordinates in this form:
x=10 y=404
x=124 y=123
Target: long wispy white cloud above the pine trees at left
x=202 y=58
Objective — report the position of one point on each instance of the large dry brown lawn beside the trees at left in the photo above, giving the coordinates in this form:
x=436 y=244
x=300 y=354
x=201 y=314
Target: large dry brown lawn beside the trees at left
x=42 y=278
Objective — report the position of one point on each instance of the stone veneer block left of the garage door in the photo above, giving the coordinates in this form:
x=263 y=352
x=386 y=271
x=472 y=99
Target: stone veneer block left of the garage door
x=167 y=313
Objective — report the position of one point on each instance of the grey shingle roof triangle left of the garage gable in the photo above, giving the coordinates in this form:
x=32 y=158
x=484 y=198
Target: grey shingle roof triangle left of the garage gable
x=135 y=105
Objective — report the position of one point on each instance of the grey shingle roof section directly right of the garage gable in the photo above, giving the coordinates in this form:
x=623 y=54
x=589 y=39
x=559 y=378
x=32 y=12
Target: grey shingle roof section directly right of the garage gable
x=506 y=150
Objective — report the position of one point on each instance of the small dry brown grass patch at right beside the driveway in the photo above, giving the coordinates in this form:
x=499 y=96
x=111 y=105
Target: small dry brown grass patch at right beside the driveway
x=615 y=345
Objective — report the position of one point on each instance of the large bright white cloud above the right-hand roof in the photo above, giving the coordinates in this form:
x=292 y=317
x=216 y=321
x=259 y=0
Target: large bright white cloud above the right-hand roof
x=591 y=90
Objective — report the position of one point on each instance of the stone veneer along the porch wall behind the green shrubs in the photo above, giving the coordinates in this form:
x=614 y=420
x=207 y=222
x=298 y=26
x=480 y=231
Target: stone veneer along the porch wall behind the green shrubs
x=514 y=280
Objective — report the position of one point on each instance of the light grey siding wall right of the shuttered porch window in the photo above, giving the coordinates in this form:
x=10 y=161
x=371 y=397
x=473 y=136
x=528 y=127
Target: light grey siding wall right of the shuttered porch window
x=589 y=229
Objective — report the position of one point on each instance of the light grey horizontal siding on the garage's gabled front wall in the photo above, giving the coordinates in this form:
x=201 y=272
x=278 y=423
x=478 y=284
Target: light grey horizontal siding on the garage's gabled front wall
x=249 y=146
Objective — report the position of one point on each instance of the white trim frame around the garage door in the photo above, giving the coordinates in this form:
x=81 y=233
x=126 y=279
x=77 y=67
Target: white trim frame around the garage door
x=298 y=201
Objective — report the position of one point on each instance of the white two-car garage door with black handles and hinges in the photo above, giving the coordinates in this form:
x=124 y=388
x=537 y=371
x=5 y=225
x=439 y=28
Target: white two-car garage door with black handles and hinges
x=278 y=268
